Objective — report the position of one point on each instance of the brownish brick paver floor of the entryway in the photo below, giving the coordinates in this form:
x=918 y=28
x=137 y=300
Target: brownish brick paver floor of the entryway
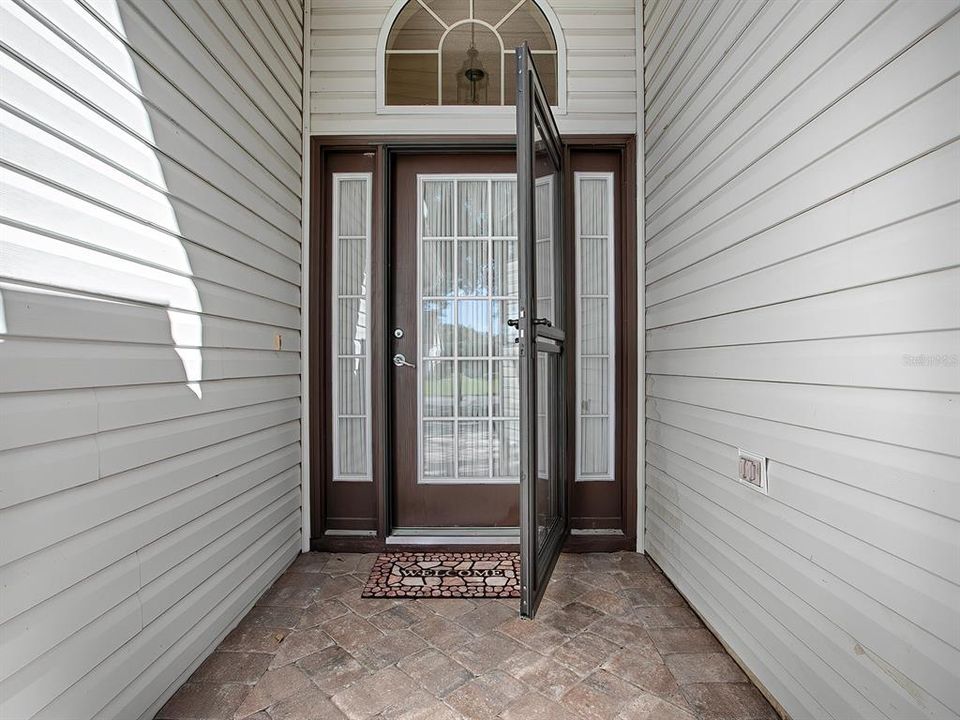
x=612 y=640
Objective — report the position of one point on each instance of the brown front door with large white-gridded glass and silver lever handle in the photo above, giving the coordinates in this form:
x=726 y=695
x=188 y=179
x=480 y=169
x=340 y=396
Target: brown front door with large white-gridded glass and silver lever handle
x=455 y=377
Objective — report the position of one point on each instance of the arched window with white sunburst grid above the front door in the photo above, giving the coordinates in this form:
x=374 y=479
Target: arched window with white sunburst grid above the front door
x=461 y=52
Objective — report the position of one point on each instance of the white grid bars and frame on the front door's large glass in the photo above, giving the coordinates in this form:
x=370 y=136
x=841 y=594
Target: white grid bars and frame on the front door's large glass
x=456 y=300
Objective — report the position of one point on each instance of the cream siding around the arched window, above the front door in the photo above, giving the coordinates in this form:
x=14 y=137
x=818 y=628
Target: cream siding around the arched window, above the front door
x=601 y=72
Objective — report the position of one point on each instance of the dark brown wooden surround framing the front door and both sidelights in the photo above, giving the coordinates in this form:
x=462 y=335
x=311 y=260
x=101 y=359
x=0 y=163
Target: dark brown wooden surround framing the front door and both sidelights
x=366 y=507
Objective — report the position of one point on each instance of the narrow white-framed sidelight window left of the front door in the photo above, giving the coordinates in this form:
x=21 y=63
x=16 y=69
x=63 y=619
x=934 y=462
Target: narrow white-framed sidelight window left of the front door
x=350 y=381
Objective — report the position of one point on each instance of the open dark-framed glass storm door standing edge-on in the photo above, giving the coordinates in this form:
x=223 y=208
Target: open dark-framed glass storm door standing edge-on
x=543 y=501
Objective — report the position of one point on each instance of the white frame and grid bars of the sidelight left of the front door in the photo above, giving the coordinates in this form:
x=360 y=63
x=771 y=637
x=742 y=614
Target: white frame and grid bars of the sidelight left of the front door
x=336 y=355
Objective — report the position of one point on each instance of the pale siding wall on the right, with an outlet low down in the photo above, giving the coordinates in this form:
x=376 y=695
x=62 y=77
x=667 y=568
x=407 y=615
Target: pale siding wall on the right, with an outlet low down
x=803 y=303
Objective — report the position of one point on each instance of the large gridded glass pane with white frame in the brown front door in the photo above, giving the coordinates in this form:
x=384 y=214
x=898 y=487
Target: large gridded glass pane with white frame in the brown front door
x=468 y=374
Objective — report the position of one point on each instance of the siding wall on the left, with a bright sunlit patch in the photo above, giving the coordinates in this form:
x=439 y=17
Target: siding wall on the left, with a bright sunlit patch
x=149 y=257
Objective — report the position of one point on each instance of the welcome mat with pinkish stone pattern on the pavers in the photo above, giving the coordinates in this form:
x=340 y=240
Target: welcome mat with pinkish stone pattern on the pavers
x=444 y=575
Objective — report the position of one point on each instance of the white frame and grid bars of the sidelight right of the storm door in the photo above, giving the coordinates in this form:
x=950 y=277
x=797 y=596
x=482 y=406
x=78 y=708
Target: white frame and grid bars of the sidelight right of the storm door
x=610 y=355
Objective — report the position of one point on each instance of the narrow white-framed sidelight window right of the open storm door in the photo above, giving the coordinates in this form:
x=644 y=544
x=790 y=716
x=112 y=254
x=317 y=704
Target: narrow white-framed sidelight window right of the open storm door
x=595 y=326
